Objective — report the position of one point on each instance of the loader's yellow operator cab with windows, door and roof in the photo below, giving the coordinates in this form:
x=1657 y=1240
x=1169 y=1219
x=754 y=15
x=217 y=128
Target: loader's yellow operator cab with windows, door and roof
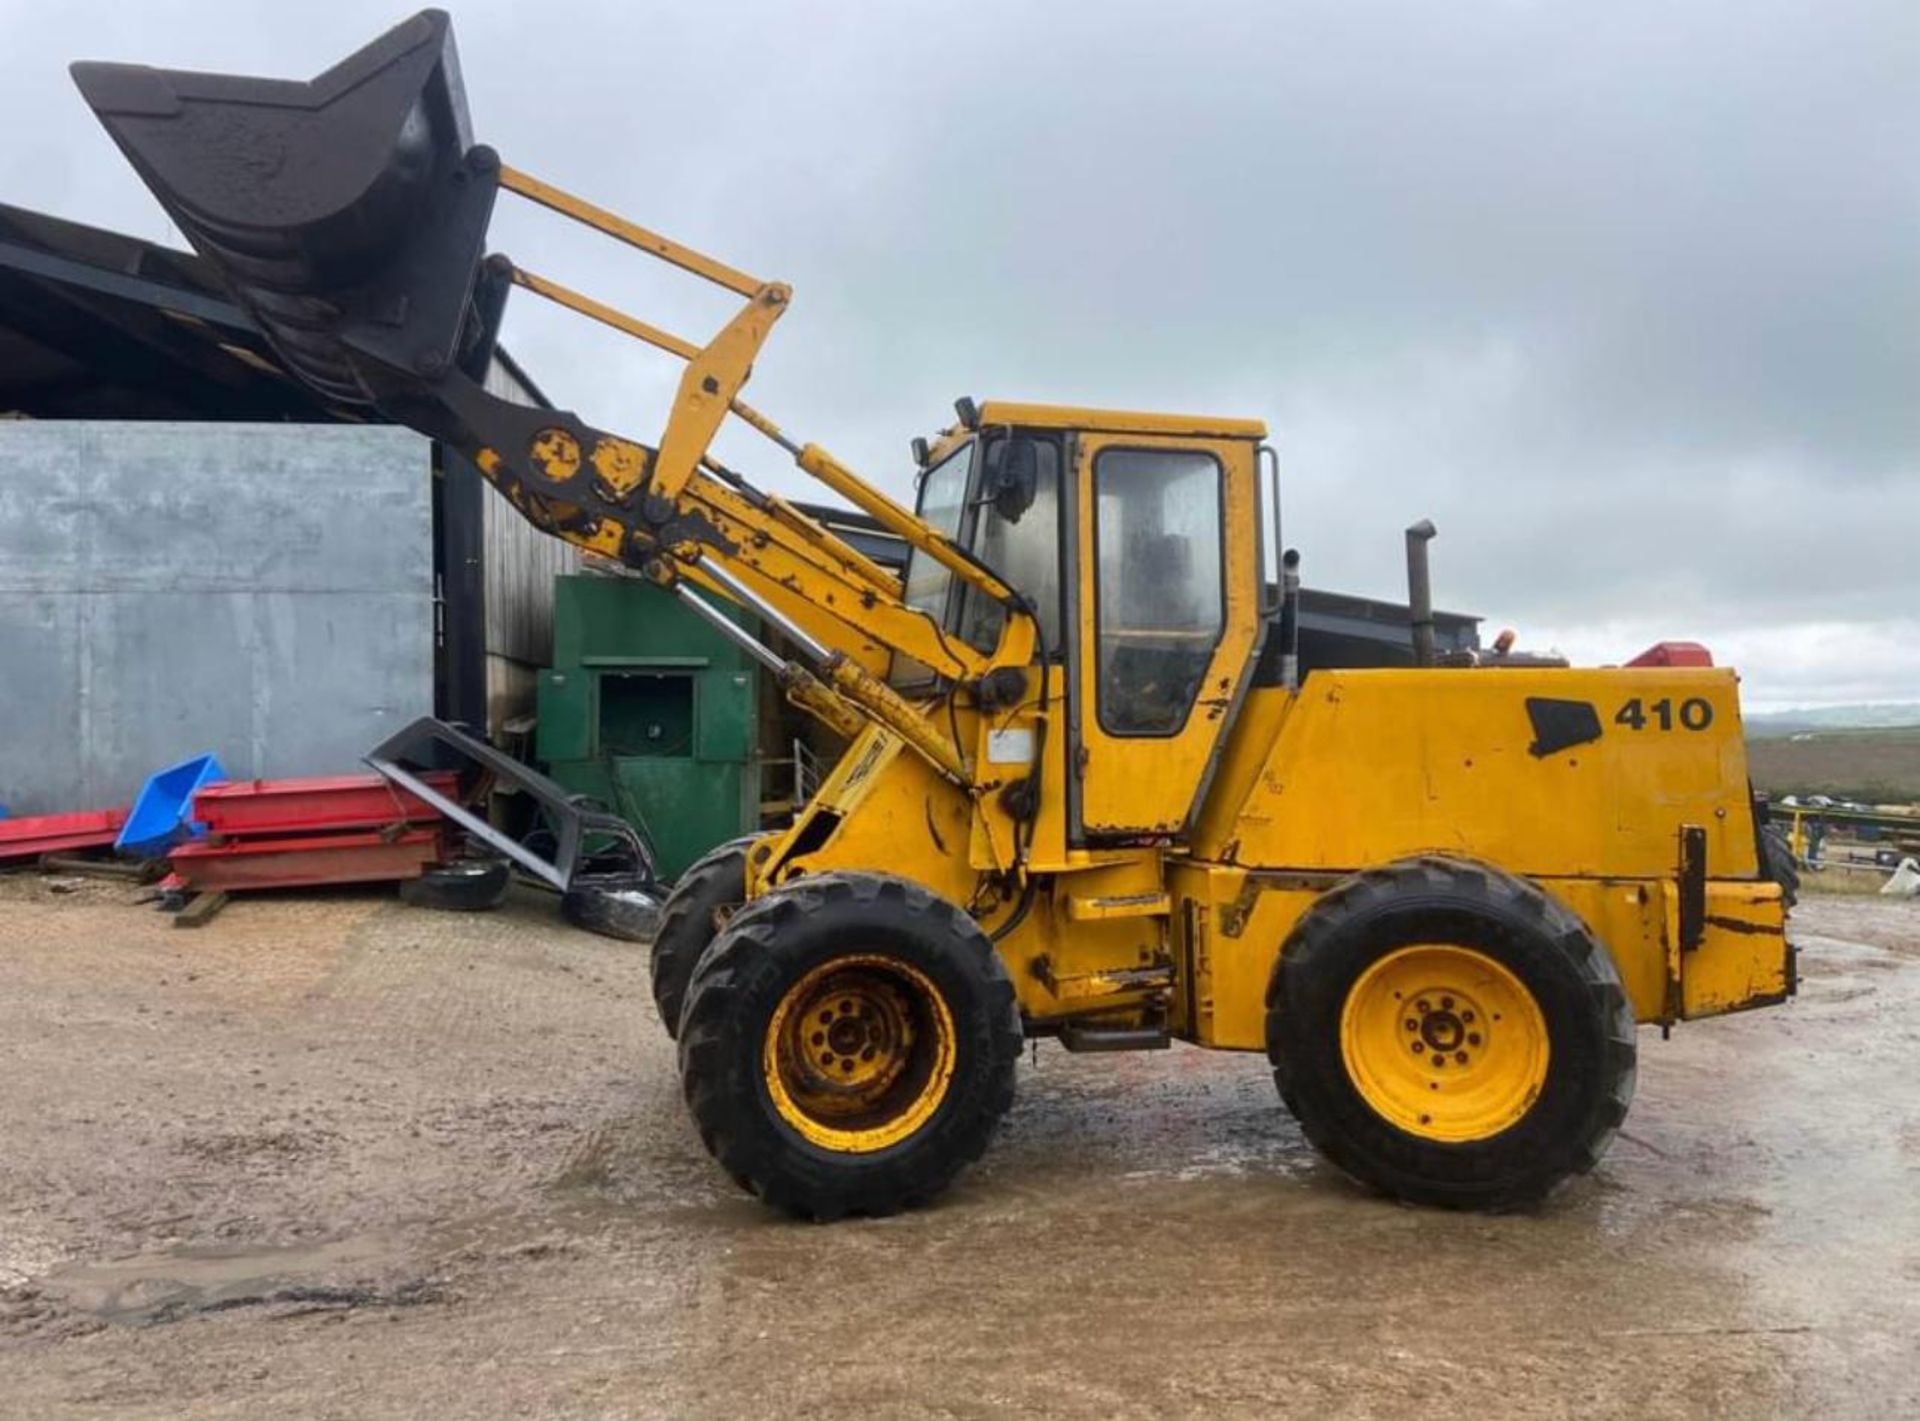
x=1138 y=541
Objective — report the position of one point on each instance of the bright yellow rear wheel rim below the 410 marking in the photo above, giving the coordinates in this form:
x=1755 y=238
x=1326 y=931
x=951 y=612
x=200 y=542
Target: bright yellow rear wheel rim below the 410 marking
x=1445 y=1044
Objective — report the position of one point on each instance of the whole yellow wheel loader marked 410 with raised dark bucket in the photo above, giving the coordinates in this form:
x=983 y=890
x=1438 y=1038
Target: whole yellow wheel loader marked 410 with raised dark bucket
x=1086 y=792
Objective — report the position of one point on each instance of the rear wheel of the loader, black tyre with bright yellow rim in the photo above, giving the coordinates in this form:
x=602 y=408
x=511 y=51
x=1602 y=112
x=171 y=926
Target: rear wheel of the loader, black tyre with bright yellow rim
x=1512 y=994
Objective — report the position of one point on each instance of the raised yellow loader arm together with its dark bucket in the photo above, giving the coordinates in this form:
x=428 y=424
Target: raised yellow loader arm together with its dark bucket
x=350 y=216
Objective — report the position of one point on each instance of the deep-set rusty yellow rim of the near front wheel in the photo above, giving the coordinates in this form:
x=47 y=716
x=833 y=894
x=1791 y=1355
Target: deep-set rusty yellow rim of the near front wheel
x=859 y=1053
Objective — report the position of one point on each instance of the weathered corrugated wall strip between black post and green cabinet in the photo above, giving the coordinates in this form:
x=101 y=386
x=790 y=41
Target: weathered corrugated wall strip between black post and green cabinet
x=521 y=566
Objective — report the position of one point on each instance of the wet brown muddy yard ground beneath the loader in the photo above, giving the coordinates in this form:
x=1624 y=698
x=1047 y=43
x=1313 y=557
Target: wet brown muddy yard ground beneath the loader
x=339 y=1157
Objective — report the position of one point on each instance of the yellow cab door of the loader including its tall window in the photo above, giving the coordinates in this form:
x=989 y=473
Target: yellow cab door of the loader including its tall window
x=1166 y=621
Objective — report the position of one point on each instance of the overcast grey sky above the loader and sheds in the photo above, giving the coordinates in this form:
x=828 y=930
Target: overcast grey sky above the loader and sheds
x=1625 y=297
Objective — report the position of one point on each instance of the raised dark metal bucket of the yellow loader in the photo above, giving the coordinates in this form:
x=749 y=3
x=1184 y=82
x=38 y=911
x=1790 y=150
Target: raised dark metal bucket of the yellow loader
x=347 y=214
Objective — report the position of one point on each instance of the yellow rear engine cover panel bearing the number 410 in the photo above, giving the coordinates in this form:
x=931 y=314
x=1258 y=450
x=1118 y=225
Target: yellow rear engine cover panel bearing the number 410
x=1366 y=767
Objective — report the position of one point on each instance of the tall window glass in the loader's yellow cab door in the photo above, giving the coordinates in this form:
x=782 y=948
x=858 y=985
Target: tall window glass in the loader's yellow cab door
x=1159 y=594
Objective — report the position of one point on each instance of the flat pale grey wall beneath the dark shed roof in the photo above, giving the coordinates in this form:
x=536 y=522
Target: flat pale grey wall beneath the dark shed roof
x=254 y=590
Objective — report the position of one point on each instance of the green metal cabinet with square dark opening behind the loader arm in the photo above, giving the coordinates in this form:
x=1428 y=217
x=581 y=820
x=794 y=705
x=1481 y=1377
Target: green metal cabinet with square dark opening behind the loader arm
x=654 y=713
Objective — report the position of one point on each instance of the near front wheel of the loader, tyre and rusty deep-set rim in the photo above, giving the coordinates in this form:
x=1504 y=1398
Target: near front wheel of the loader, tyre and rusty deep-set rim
x=850 y=1046
